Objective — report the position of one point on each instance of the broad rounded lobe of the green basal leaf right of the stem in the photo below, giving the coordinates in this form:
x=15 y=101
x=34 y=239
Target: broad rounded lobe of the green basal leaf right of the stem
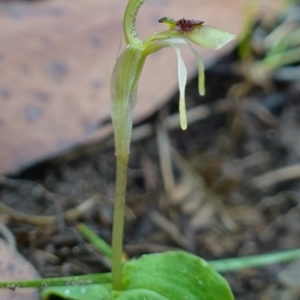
x=176 y=276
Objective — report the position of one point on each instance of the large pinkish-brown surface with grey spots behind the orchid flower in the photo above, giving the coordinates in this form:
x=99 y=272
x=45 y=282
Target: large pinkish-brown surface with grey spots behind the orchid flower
x=56 y=59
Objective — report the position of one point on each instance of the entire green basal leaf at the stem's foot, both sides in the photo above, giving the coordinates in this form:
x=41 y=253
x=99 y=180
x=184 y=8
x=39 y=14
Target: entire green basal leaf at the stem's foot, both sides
x=165 y=276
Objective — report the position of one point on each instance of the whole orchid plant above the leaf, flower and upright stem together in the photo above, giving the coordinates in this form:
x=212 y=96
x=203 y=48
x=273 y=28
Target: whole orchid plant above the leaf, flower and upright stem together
x=124 y=83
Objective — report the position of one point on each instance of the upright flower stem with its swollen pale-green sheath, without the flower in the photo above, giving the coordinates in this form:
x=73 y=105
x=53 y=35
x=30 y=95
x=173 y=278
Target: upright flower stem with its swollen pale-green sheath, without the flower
x=123 y=98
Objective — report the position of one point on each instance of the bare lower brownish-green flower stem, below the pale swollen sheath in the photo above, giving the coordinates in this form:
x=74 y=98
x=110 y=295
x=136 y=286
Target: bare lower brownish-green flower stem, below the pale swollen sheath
x=118 y=225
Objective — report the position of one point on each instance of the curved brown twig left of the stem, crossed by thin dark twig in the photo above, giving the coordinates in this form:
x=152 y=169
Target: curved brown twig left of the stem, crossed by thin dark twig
x=71 y=214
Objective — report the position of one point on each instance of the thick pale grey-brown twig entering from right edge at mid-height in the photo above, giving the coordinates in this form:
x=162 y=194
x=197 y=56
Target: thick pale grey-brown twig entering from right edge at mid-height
x=271 y=178
